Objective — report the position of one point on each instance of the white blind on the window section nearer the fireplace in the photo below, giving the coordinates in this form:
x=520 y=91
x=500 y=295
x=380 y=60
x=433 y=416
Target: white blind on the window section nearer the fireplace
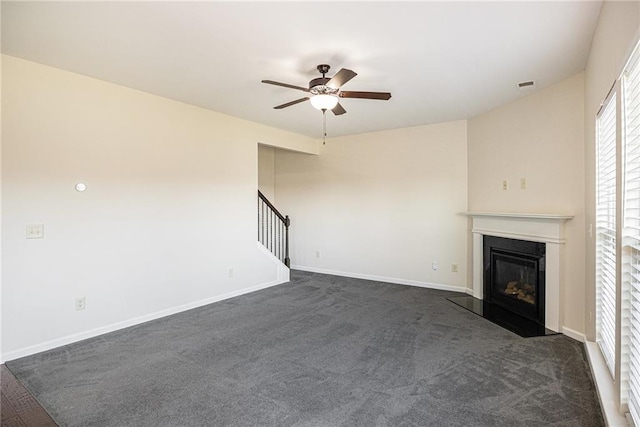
x=606 y=232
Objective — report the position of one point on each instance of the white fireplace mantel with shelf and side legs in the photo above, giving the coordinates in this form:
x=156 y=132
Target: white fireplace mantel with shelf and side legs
x=546 y=228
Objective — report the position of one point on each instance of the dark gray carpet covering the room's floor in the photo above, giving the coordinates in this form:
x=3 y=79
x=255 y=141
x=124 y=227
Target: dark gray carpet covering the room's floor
x=318 y=351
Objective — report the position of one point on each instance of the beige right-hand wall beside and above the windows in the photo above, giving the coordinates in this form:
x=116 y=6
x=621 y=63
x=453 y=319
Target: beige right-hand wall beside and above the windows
x=616 y=35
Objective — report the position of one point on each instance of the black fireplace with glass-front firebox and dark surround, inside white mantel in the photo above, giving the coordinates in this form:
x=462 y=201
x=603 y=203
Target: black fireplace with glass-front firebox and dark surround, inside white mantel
x=514 y=276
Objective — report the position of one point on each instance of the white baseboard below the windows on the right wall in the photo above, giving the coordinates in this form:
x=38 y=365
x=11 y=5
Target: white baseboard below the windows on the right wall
x=604 y=386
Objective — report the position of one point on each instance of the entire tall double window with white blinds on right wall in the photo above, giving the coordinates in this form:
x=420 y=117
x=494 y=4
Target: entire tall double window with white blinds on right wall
x=618 y=237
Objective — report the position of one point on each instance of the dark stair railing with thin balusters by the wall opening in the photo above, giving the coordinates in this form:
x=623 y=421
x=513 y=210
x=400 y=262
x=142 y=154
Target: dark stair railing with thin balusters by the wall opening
x=273 y=229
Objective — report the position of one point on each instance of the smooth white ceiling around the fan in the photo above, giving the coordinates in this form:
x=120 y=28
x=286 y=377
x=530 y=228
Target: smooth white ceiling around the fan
x=441 y=61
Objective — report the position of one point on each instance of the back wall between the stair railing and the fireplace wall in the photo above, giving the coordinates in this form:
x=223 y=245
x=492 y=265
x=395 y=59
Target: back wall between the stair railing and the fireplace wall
x=382 y=205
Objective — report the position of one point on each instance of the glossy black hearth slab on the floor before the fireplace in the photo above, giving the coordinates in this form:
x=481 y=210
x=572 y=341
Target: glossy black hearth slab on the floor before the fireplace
x=522 y=326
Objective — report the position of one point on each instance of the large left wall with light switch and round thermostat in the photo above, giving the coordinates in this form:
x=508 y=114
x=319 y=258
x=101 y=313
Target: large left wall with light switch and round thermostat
x=170 y=206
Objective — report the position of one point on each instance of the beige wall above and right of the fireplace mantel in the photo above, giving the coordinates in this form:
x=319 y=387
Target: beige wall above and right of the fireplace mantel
x=540 y=138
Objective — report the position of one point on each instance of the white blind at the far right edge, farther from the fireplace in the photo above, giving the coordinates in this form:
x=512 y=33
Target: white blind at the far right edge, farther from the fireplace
x=631 y=231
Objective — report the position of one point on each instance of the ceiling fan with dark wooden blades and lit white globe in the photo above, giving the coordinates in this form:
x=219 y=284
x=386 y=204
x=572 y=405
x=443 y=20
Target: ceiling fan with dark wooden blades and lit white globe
x=324 y=91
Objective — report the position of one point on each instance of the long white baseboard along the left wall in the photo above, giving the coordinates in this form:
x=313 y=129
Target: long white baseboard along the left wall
x=69 y=339
